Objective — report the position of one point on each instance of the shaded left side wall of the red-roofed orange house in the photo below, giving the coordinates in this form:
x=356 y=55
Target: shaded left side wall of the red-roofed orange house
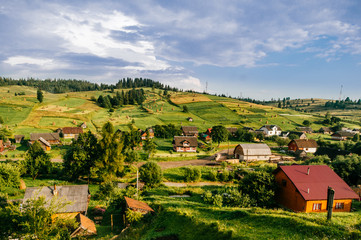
x=287 y=194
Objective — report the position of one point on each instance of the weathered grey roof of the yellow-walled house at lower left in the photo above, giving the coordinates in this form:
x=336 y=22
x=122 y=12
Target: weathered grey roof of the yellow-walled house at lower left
x=76 y=194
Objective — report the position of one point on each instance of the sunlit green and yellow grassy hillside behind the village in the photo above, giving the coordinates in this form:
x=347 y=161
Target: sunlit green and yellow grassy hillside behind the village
x=23 y=114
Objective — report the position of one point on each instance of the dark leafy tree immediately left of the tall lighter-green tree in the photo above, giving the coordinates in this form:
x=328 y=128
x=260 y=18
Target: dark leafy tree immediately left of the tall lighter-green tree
x=80 y=158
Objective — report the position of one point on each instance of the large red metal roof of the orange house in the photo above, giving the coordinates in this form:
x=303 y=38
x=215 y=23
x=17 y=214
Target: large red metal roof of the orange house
x=313 y=186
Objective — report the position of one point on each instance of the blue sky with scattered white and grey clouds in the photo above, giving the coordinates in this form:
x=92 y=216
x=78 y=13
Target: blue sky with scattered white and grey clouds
x=260 y=49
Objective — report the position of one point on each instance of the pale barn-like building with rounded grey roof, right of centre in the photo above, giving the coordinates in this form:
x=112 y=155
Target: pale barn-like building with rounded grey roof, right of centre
x=252 y=152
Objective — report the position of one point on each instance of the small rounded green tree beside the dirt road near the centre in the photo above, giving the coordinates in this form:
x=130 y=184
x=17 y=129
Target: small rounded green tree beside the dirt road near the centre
x=151 y=174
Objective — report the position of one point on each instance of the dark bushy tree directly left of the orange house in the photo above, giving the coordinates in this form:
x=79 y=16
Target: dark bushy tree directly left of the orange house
x=260 y=186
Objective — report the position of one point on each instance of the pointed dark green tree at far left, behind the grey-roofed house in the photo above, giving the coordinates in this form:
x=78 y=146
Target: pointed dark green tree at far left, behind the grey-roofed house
x=37 y=161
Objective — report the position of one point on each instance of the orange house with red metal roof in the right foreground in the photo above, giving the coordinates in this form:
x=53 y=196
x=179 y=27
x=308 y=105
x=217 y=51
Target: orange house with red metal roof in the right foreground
x=303 y=188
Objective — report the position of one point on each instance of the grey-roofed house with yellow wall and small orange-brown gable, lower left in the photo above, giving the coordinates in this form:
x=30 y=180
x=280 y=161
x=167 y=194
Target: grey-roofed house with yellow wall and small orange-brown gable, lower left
x=78 y=197
